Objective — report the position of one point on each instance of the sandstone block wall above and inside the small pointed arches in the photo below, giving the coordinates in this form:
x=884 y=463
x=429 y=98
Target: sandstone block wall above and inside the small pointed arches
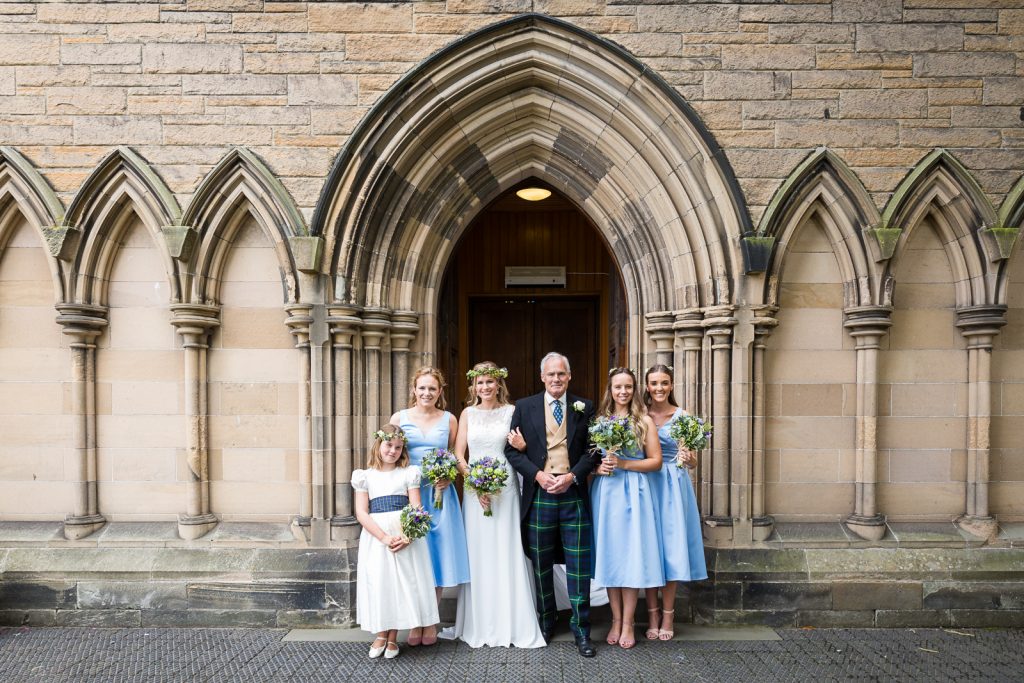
x=880 y=83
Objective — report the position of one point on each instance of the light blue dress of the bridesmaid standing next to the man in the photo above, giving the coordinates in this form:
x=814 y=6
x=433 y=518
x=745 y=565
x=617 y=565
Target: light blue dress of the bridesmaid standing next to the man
x=627 y=545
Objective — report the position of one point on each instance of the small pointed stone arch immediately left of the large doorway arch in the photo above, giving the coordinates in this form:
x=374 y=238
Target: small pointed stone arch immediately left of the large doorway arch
x=238 y=186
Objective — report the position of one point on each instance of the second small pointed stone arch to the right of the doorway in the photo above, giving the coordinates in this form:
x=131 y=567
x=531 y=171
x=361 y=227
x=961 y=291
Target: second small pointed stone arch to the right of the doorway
x=942 y=189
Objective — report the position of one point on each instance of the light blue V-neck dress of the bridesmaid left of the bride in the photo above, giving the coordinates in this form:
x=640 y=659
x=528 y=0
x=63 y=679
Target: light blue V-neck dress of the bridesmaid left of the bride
x=449 y=554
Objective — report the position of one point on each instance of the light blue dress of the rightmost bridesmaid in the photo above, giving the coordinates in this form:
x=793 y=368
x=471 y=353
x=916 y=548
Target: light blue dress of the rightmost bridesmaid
x=679 y=520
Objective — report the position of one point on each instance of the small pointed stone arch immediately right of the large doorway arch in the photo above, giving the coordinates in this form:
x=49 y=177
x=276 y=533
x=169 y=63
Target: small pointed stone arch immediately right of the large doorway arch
x=825 y=187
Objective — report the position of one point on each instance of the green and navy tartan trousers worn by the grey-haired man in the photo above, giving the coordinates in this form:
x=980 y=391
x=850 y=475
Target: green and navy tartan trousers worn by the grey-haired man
x=560 y=526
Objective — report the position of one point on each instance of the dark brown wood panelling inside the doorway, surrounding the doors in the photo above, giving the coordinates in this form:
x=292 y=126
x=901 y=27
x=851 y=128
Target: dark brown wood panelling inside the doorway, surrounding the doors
x=516 y=233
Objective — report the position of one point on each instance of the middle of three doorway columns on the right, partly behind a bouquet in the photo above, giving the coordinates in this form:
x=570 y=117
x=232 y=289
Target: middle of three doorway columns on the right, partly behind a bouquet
x=689 y=328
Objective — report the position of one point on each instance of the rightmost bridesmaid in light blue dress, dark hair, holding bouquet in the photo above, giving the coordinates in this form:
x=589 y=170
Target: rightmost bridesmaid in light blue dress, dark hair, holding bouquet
x=676 y=505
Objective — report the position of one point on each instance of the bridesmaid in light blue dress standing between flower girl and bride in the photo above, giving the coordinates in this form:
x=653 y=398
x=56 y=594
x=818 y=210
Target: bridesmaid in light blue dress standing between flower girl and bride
x=429 y=425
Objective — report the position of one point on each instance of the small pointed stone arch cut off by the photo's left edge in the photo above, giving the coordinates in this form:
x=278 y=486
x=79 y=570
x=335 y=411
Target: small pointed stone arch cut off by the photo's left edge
x=24 y=191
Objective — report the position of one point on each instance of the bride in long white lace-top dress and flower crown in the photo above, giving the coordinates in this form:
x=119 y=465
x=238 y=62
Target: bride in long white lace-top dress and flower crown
x=497 y=608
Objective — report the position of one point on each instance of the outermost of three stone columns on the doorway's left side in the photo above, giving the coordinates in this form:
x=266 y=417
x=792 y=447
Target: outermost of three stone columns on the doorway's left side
x=345 y=324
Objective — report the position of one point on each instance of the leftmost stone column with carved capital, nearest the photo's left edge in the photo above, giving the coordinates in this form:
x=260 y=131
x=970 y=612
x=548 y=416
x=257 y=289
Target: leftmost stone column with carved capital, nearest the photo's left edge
x=83 y=324
